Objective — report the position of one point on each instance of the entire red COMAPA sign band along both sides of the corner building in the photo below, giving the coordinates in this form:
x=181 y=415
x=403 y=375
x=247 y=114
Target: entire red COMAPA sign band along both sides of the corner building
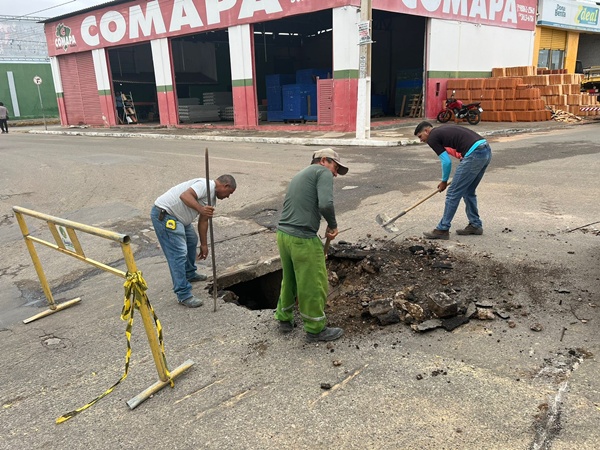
x=142 y=20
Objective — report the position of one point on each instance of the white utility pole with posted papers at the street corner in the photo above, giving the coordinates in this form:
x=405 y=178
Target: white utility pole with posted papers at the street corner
x=363 y=110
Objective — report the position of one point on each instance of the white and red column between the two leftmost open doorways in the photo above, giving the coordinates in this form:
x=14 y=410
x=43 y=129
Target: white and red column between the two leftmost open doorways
x=163 y=71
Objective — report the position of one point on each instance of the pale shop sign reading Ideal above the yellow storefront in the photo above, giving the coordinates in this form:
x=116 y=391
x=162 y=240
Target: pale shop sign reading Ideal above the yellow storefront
x=570 y=15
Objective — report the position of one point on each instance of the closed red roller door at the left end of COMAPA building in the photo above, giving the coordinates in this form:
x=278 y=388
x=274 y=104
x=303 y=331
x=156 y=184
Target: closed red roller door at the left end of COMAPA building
x=82 y=102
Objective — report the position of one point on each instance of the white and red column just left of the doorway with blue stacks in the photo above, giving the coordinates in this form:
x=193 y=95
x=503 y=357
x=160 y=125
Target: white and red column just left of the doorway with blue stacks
x=241 y=53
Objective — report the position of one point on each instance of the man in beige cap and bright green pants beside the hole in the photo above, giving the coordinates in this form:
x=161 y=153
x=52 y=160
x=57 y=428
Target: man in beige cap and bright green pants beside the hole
x=309 y=197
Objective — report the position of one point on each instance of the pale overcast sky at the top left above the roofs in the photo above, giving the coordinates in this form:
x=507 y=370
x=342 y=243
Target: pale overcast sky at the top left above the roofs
x=45 y=8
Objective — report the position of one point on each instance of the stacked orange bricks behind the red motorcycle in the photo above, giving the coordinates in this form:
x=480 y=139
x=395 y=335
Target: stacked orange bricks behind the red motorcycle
x=519 y=94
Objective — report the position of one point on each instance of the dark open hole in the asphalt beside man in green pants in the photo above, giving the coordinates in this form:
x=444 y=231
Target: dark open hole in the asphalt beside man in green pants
x=253 y=285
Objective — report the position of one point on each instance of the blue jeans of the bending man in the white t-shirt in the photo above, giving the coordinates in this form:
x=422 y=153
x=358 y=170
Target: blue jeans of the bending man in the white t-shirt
x=179 y=246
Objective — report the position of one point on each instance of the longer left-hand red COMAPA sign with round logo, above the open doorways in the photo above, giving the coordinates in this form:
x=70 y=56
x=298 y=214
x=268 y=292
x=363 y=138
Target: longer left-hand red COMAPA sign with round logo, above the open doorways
x=143 y=20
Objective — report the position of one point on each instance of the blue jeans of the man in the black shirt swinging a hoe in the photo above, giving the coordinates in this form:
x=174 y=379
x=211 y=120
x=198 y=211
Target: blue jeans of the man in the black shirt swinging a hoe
x=466 y=179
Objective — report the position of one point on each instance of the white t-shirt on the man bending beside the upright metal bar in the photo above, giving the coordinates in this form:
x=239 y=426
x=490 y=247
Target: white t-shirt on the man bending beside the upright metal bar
x=171 y=202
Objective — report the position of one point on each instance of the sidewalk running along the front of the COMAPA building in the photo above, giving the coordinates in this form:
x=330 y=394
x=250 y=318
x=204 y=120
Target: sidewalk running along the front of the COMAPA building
x=390 y=133
